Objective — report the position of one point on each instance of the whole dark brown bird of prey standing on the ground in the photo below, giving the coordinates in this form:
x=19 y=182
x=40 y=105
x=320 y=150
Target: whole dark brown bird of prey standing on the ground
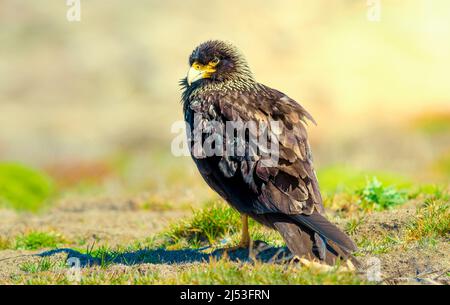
x=220 y=88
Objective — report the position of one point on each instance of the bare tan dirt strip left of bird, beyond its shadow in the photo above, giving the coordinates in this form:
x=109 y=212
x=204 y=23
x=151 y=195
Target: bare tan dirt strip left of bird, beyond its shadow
x=105 y=221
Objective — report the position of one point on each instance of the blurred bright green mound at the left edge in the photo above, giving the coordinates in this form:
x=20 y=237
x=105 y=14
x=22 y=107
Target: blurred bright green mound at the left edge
x=23 y=188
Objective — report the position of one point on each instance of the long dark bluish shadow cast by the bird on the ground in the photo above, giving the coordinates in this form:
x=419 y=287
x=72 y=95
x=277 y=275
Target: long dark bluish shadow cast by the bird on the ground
x=261 y=252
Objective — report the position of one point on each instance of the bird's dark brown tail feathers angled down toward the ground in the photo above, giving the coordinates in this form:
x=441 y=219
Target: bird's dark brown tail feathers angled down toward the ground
x=313 y=236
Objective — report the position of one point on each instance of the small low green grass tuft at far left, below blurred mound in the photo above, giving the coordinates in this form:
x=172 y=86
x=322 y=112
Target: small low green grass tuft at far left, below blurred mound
x=38 y=240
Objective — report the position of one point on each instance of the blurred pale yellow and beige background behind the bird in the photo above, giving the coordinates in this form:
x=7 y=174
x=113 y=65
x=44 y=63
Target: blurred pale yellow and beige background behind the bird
x=86 y=107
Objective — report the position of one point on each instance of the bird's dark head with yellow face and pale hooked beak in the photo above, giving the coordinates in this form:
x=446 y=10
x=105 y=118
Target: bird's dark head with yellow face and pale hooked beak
x=217 y=61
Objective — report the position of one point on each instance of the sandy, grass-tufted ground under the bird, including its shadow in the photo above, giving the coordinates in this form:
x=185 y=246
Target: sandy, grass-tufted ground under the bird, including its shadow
x=124 y=241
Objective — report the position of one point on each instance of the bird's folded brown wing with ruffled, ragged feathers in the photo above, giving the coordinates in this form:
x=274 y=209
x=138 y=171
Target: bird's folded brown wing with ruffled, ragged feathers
x=290 y=186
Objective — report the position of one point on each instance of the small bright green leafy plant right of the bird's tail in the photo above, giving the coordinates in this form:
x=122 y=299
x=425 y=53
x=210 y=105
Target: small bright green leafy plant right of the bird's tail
x=375 y=196
